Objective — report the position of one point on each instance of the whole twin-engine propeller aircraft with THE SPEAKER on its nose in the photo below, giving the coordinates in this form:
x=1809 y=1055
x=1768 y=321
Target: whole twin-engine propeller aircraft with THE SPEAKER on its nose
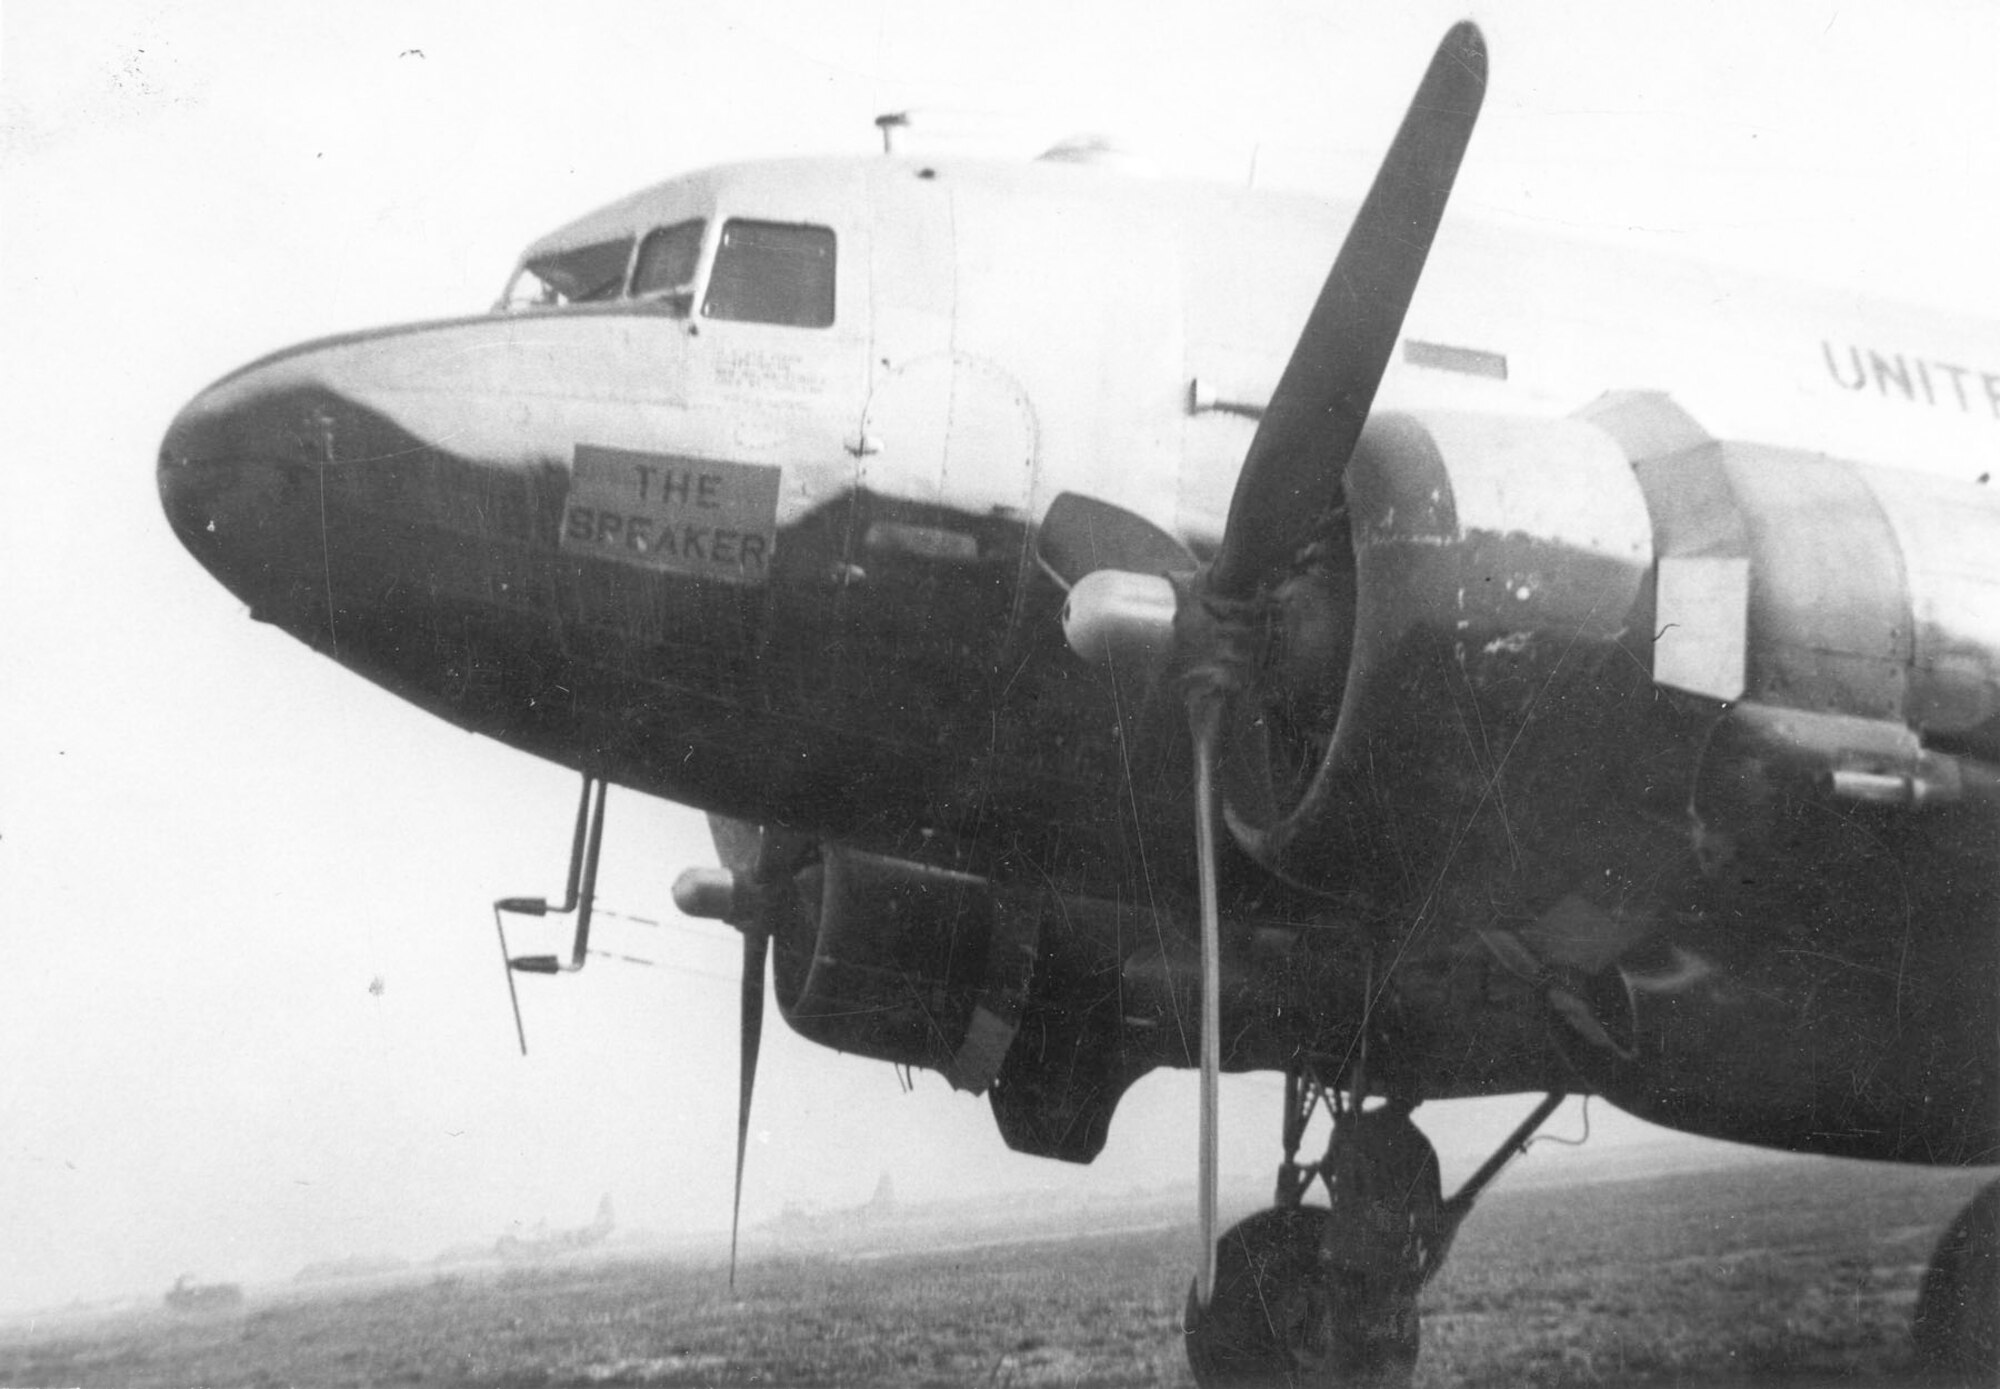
x=1109 y=639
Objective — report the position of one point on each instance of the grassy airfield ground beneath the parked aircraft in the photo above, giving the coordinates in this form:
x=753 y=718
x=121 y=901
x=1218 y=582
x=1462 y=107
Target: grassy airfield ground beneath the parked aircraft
x=1795 y=1274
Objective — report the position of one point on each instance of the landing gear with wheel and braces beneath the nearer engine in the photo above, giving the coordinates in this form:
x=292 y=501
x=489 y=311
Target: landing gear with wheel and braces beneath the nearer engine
x=1327 y=1296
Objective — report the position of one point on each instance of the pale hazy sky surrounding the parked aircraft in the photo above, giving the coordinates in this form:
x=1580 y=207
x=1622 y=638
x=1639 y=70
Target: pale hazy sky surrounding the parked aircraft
x=253 y=1012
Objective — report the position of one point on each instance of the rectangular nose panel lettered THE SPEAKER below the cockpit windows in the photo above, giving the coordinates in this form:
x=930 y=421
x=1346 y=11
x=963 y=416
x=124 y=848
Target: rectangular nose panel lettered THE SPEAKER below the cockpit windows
x=695 y=517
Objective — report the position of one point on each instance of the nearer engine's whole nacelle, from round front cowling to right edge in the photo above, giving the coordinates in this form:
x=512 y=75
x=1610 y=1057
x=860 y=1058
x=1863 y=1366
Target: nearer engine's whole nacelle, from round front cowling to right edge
x=1511 y=559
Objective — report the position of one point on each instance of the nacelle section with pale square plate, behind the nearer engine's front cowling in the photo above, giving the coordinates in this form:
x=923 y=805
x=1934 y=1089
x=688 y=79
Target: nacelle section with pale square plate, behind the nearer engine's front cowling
x=1813 y=583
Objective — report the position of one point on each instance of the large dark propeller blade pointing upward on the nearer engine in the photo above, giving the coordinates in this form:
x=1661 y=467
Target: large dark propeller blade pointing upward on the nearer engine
x=1309 y=429
